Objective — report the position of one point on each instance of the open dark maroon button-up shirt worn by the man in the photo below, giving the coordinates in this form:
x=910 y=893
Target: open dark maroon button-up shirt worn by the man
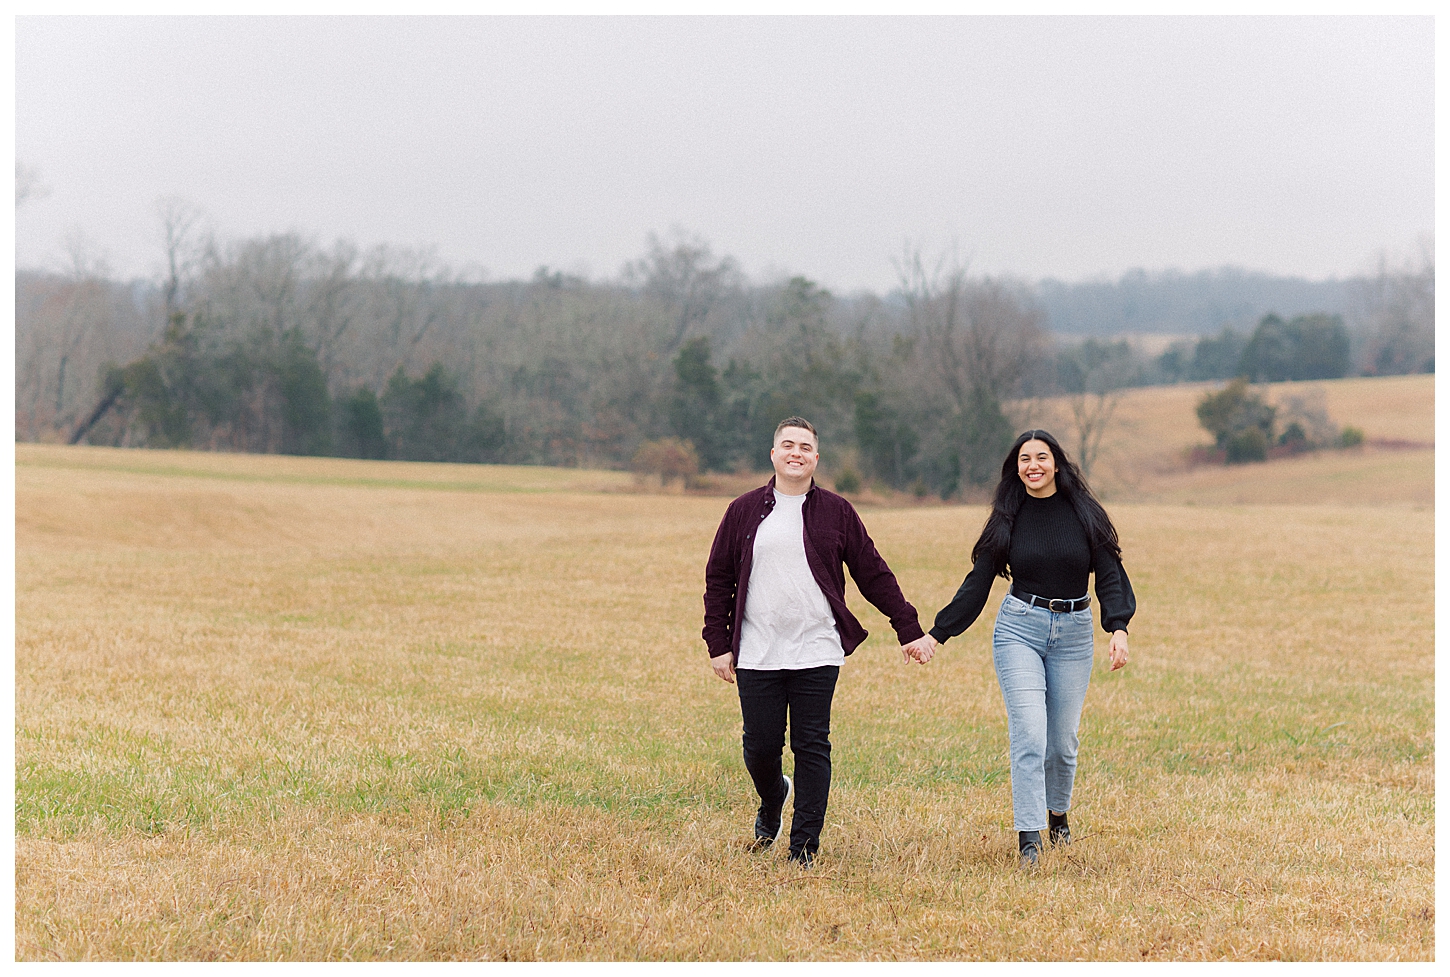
x=834 y=536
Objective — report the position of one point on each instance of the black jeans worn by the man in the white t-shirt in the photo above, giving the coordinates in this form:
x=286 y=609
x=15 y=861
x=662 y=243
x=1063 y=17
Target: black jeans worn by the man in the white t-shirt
x=765 y=701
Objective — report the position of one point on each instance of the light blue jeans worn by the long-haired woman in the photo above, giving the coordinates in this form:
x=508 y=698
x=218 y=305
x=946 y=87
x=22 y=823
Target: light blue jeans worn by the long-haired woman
x=1043 y=663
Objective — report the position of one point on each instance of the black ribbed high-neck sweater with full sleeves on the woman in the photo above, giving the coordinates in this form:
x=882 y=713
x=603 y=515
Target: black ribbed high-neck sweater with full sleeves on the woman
x=1049 y=557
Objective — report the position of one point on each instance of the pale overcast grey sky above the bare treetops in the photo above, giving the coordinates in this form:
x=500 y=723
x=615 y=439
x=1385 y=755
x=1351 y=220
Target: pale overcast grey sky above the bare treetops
x=1045 y=147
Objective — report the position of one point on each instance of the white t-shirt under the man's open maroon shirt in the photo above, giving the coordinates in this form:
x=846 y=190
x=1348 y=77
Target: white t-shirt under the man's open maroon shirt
x=788 y=621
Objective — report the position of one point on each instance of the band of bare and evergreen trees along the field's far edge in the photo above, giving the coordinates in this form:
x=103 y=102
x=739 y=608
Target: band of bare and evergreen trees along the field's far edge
x=282 y=346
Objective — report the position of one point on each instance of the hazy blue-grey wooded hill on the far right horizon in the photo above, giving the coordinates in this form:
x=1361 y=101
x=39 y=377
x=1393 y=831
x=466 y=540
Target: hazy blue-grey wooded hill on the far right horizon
x=1172 y=302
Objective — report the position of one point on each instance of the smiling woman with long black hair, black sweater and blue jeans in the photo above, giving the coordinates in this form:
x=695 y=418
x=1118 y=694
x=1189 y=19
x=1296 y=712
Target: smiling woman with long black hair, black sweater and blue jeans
x=1046 y=533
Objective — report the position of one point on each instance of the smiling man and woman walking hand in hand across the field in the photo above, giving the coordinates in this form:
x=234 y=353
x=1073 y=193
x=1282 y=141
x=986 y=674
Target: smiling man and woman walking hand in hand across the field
x=778 y=627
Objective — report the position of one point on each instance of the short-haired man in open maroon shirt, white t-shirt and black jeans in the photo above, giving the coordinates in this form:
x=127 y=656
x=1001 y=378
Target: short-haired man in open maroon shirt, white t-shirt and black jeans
x=778 y=627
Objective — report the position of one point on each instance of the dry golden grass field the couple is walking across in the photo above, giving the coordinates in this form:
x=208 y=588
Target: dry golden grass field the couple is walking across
x=324 y=710
